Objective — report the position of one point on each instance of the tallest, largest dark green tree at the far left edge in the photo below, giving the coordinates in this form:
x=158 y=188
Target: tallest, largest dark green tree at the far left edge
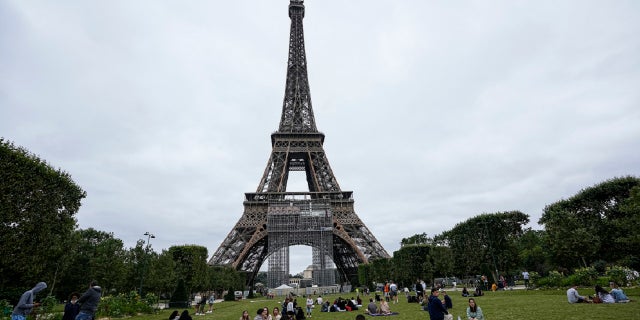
x=37 y=213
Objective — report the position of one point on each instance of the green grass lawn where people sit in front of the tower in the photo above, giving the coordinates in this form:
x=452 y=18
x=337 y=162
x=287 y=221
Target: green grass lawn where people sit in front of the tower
x=501 y=305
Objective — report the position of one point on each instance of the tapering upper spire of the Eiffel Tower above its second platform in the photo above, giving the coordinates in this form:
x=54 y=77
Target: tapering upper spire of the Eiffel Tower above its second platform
x=297 y=113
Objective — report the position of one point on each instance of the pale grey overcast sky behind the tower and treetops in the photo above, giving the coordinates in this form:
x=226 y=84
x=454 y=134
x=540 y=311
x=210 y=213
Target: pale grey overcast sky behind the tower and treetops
x=433 y=111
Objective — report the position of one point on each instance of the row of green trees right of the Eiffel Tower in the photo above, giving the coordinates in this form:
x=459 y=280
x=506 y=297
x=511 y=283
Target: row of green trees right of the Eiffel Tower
x=597 y=227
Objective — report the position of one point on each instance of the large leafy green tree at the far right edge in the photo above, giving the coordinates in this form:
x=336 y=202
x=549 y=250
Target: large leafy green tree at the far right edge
x=599 y=222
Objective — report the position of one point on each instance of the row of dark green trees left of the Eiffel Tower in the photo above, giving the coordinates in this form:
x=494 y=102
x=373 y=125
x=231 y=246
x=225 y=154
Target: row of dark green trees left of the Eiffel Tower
x=39 y=241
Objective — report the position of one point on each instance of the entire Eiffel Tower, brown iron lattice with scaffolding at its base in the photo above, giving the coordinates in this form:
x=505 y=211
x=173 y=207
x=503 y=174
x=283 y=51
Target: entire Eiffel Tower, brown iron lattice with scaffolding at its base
x=274 y=218
